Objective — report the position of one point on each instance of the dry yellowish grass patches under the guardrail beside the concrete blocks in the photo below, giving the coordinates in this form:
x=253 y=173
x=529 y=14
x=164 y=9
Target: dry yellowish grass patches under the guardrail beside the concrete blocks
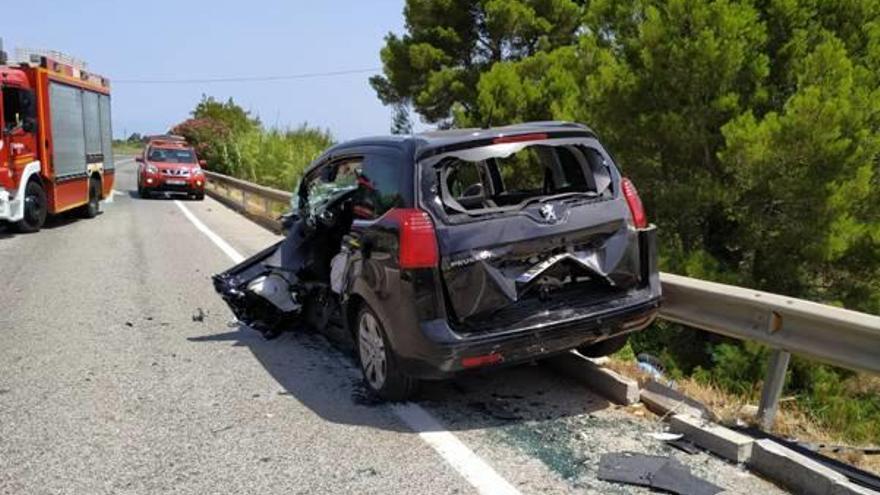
x=791 y=422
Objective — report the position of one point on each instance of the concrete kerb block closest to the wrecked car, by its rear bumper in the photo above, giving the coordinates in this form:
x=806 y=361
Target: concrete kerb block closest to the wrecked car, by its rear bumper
x=616 y=388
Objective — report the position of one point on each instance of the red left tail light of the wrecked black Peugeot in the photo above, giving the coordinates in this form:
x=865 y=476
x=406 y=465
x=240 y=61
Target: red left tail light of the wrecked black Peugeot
x=418 y=241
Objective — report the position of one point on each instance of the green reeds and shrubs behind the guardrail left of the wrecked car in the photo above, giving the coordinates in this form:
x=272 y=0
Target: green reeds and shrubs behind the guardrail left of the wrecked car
x=236 y=143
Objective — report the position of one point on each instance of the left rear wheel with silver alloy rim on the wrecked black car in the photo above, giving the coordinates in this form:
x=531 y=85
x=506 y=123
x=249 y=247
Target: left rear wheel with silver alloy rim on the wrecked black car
x=377 y=360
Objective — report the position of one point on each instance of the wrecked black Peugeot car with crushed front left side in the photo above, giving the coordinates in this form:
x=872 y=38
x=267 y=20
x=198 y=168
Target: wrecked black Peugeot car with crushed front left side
x=454 y=250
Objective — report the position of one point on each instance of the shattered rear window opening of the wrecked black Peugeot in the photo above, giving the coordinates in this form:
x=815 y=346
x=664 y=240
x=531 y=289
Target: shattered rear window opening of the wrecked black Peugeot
x=513 y=176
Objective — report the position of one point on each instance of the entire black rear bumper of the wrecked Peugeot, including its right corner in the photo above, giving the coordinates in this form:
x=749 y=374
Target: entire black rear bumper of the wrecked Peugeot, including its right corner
x=434 y=349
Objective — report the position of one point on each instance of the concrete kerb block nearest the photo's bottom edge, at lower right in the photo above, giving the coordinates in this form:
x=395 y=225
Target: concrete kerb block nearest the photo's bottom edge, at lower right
x=792 y=470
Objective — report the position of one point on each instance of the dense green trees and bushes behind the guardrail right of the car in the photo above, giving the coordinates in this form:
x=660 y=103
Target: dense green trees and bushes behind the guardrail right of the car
x=752 y=129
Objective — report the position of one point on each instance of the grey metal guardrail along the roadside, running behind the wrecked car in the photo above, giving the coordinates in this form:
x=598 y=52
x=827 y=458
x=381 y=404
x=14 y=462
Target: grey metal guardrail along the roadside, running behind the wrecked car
x=832 y=335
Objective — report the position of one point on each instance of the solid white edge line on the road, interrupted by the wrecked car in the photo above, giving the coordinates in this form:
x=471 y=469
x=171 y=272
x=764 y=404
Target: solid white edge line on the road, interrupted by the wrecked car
x=468 y=464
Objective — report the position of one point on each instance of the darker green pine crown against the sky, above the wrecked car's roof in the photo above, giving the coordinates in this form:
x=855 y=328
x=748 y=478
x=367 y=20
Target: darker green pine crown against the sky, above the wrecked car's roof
x=436 y=65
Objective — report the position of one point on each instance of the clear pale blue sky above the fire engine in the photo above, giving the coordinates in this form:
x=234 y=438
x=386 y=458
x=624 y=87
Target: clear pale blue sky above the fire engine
x=161 y=39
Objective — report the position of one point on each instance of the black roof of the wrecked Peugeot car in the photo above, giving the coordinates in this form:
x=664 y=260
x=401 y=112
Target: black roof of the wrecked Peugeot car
x=433 y=142
